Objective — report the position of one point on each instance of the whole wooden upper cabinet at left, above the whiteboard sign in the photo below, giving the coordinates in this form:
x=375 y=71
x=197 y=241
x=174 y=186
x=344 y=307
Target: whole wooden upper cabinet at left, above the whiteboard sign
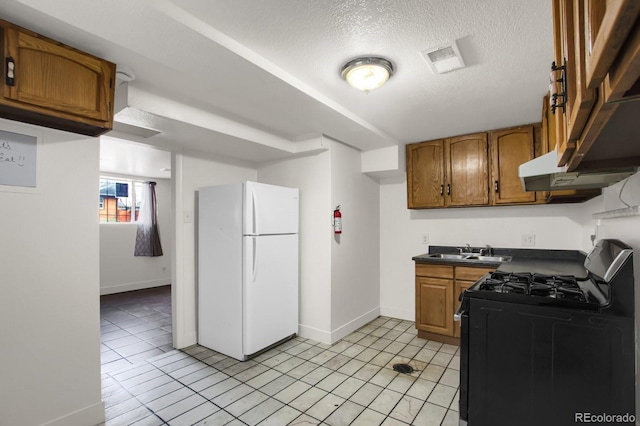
x=55 y=85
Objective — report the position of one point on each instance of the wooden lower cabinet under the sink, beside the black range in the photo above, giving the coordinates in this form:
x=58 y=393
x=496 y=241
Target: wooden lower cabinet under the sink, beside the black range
x=438 y=288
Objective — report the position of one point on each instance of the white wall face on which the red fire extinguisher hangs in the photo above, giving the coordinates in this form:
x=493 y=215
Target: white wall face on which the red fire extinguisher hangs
x=355 y=254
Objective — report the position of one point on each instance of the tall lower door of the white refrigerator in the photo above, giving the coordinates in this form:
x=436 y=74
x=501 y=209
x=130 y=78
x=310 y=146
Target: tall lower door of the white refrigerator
x=270 y=290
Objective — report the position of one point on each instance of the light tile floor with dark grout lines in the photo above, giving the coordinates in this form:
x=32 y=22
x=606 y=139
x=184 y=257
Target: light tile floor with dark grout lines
x=300 y=382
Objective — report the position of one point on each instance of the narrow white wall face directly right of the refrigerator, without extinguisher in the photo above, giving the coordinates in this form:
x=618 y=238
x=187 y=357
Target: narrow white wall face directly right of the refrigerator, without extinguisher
x=312 y=175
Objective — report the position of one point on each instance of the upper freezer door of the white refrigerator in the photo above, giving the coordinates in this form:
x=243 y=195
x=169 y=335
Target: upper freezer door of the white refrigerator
x=270 y=209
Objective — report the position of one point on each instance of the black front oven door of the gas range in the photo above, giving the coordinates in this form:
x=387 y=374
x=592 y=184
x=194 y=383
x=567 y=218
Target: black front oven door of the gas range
x=541 y=365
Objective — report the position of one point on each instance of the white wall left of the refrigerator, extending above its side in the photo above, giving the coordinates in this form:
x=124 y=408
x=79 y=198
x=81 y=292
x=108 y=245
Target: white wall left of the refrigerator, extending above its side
x=189 y=174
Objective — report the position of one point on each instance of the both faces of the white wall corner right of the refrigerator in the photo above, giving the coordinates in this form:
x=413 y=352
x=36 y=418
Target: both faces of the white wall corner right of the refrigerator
x=339 y=284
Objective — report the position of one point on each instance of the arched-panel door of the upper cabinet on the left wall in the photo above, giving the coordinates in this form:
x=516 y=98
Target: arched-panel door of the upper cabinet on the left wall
x=57 y=77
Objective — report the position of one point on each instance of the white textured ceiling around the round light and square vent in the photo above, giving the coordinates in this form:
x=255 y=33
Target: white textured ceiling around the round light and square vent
x=251 y=79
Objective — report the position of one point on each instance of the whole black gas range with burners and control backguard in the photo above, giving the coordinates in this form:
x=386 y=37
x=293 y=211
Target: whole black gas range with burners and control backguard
x=540 y=348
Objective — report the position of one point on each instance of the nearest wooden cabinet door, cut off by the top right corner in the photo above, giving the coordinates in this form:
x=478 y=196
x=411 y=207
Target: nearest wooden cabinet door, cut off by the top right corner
x=607 y=23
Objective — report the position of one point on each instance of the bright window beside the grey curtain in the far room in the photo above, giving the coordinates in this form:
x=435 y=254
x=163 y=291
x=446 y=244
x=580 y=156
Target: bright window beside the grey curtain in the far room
x=117 y=196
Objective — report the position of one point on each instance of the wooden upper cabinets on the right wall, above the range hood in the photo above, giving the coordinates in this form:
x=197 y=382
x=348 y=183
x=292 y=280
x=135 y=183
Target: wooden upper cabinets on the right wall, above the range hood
x=597 y=43
